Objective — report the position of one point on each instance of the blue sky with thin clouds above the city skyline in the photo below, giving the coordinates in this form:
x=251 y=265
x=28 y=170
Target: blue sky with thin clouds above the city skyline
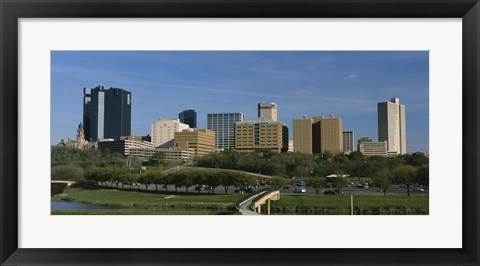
x=348 y=84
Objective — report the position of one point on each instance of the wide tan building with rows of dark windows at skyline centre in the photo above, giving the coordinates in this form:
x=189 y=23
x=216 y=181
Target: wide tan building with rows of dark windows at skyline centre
x=261 y=134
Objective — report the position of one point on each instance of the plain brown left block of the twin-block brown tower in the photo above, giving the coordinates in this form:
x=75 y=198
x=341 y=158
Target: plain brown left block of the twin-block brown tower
x=302 y=134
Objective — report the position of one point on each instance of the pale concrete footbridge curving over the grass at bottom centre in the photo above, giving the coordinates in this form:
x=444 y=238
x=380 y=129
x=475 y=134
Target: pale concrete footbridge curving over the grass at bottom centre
x=251 y=204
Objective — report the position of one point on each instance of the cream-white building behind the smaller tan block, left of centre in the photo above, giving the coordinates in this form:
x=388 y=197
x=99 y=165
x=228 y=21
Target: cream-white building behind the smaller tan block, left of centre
x=163 y=130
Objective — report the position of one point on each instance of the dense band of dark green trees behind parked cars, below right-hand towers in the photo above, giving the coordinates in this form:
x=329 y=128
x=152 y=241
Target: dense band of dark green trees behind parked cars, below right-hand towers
x=307 y=165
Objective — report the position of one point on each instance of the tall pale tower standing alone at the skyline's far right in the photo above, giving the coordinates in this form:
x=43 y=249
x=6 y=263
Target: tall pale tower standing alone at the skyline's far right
x=391 y=125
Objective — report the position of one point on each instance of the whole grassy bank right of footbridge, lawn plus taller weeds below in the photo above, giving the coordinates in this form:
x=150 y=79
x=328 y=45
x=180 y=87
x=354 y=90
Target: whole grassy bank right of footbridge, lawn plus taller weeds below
x=340 y=205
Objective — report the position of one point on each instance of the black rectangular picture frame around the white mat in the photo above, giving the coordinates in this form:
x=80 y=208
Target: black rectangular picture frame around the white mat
x=12 y=10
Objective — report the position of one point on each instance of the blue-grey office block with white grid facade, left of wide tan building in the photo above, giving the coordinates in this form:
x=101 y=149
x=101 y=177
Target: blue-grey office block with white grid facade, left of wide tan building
x=224 y=126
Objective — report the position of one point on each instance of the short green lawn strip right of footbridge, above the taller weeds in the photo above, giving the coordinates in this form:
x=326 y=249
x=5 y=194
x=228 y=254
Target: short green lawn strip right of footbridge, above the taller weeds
x=358 y=201
